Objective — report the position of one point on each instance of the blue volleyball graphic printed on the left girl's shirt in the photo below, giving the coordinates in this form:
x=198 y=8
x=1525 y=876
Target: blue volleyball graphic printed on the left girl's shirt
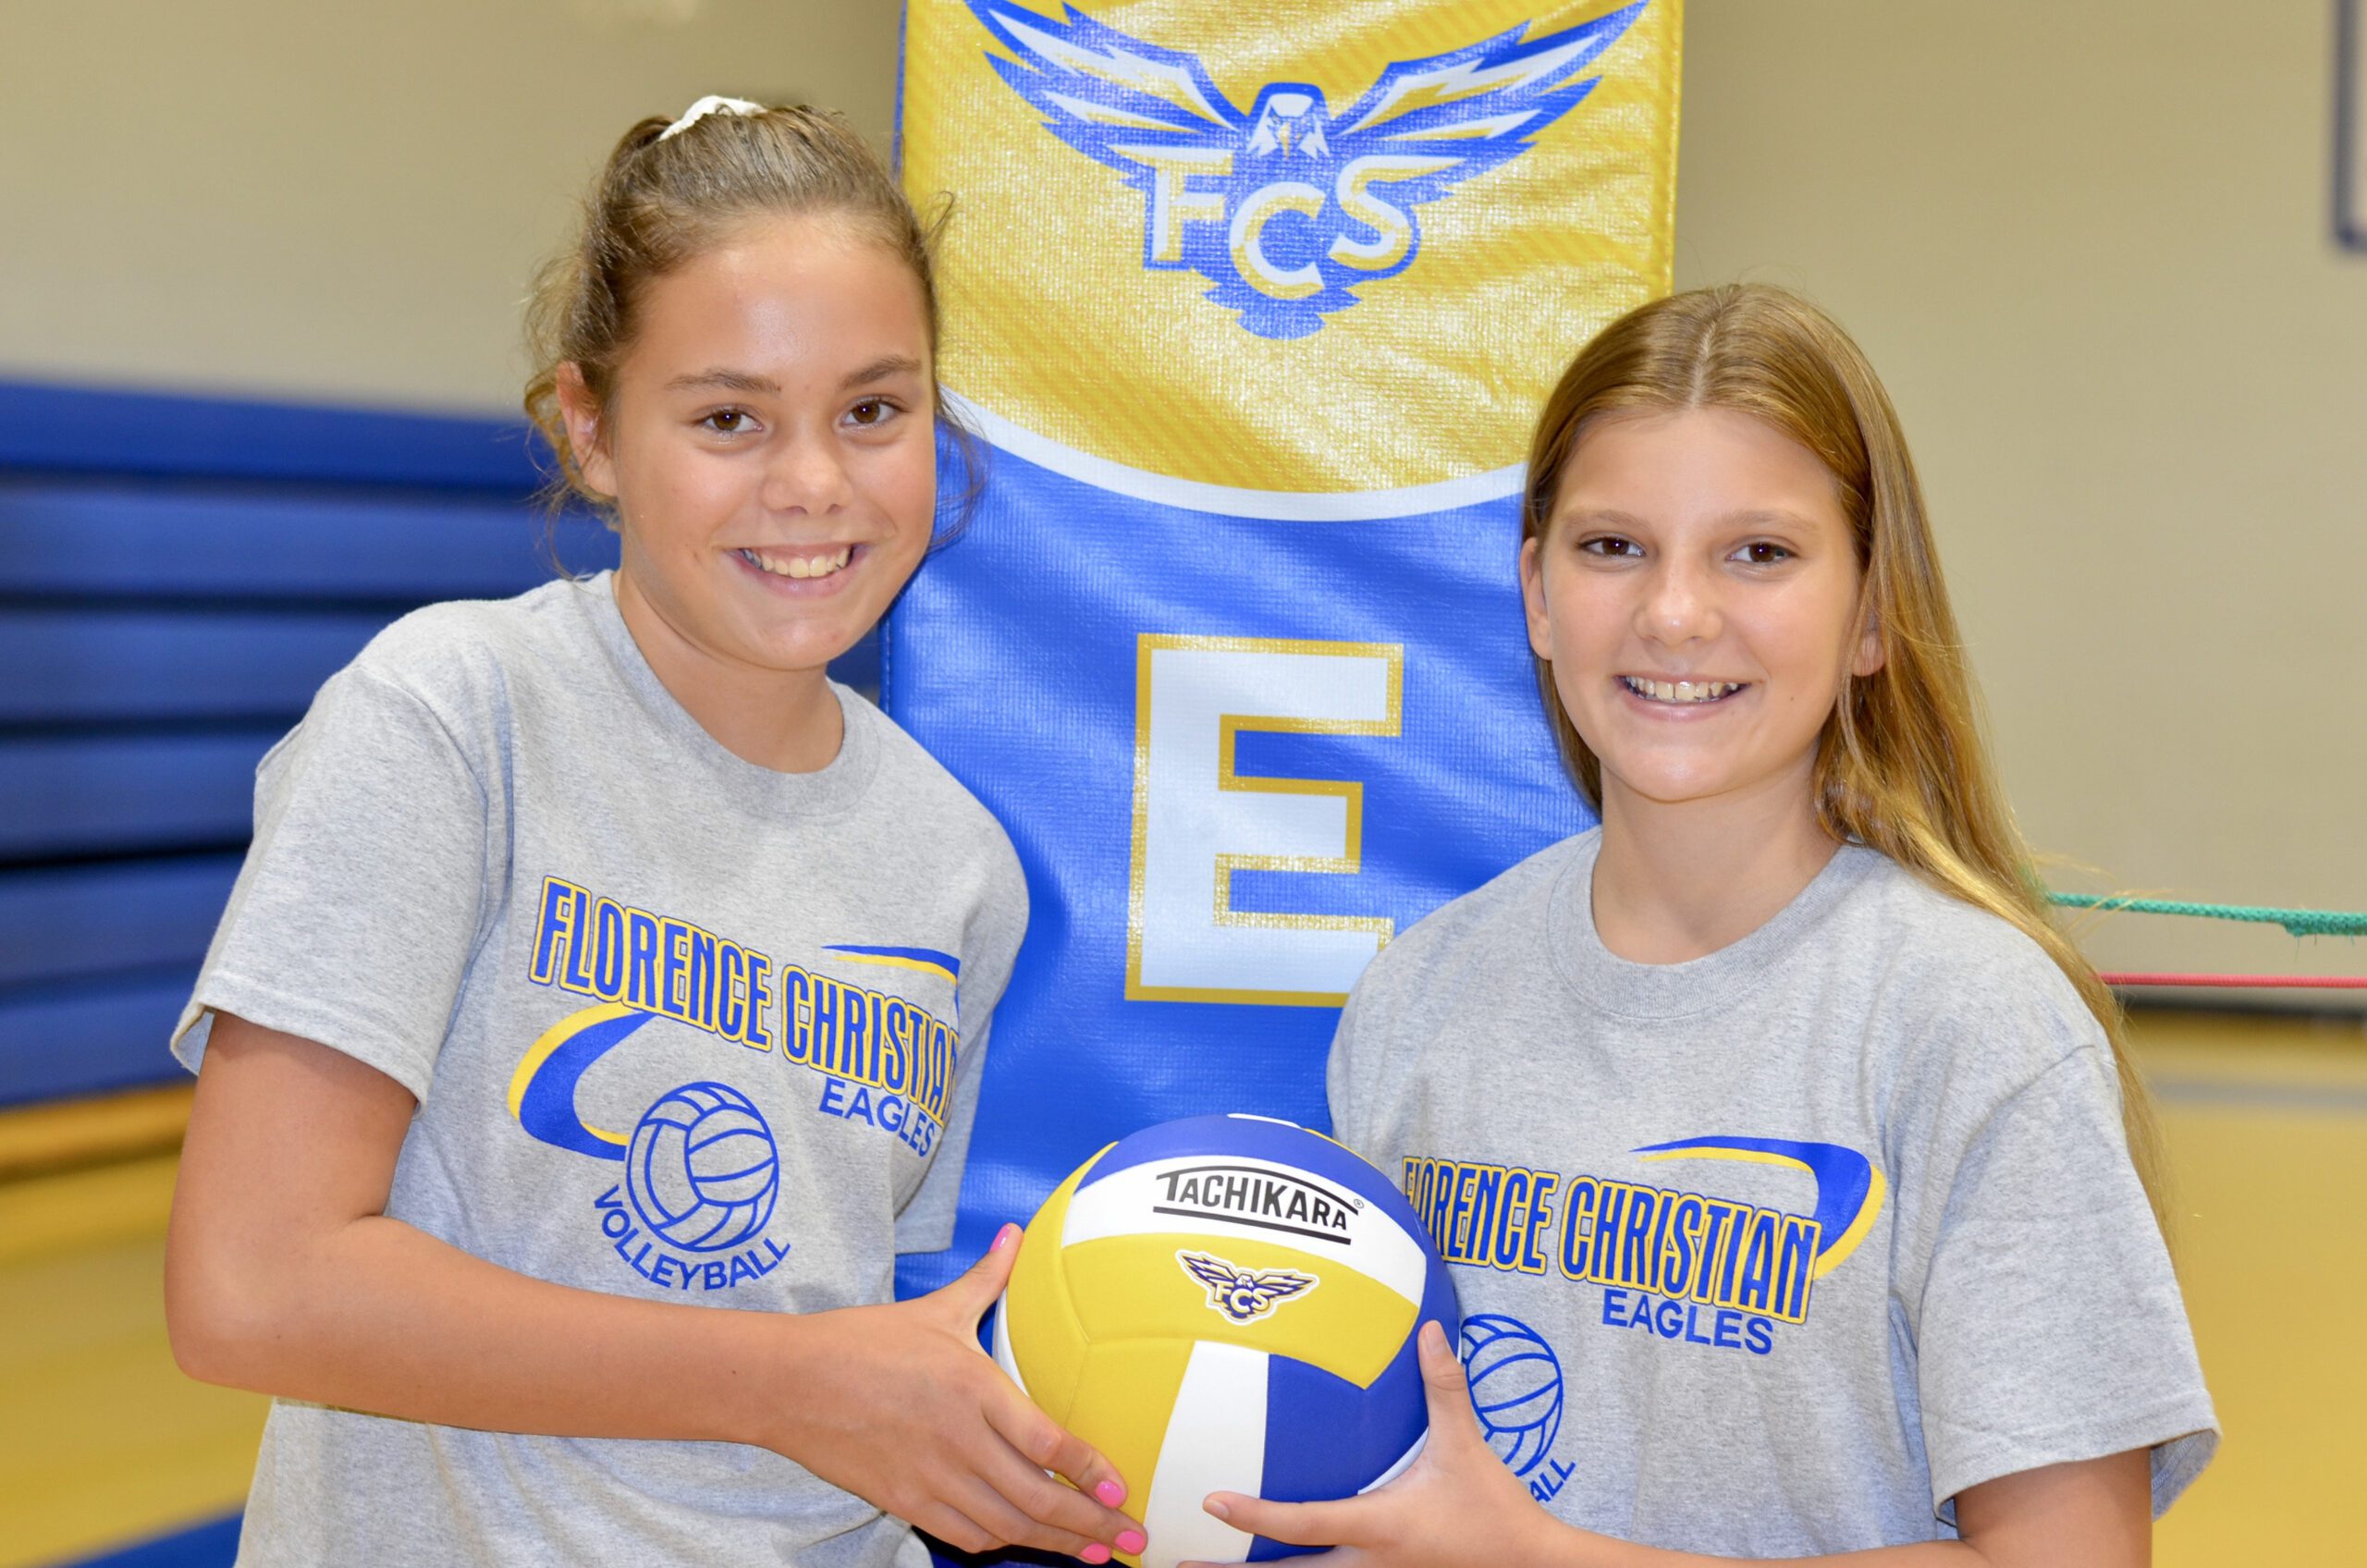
x=702 y=1169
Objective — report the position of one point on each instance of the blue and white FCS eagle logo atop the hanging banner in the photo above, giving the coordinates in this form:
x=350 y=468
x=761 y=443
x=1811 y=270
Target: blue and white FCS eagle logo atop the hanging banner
x=1289 y=207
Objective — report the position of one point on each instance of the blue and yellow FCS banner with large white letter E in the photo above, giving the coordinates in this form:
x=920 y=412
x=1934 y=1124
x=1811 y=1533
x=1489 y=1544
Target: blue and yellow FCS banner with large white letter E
x=1256 y=309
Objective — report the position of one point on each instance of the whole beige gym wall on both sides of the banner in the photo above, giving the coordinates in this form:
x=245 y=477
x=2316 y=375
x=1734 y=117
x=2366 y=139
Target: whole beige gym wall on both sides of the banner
x=2089 y=248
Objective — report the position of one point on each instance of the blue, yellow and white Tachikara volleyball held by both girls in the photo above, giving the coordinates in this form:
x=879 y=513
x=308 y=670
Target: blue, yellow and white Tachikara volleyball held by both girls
x=1227 y=1304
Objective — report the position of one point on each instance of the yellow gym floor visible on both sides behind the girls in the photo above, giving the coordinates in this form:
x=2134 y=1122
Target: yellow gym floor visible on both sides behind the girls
x=103 y=1441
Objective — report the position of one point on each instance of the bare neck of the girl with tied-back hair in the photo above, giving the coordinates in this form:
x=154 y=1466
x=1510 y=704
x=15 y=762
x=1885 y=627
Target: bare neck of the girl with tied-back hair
x=787 y=721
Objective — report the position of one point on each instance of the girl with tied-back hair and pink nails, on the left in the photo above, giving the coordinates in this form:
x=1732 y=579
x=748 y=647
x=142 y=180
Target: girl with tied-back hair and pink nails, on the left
x=602 y=1003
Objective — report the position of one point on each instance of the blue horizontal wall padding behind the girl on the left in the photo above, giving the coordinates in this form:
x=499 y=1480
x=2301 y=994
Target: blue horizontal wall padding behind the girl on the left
x=176 y=581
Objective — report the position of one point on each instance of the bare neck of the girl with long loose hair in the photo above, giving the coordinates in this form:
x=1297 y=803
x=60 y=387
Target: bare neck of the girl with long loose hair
x=1684 y=880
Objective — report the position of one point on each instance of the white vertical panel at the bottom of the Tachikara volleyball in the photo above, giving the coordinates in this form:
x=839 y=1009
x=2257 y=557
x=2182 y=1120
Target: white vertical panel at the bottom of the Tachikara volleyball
x=1215 y=1444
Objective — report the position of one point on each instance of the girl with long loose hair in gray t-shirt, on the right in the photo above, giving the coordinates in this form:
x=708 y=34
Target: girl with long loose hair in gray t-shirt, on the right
x=1788 y=1155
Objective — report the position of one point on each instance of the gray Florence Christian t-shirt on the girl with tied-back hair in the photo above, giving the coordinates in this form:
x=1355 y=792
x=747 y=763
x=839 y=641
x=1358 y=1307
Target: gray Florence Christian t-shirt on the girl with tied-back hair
x=681 y=1027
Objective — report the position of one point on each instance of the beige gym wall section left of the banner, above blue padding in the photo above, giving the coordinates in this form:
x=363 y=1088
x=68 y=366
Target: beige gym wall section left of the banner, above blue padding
x=347 y=200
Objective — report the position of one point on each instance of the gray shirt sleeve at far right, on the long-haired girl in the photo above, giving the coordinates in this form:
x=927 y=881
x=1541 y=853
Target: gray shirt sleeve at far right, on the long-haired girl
x=2051 y=1325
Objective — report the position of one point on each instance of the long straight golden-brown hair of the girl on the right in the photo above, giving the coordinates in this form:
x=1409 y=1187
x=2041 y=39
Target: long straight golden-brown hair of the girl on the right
x=1902 y=764
